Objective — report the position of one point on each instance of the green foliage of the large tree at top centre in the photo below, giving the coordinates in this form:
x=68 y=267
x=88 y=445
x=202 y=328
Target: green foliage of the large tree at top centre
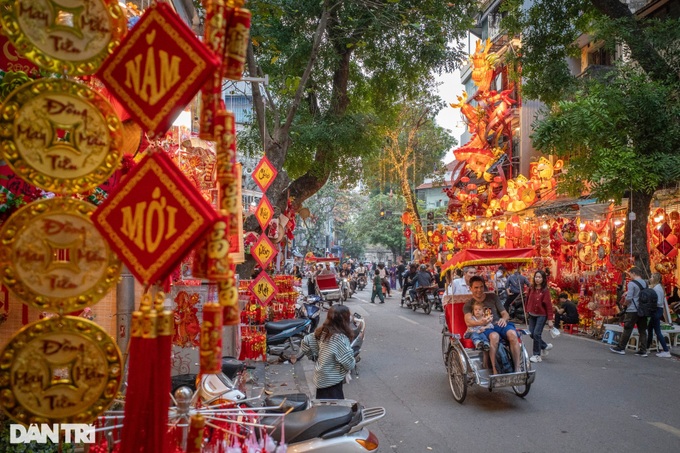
x=384 y=50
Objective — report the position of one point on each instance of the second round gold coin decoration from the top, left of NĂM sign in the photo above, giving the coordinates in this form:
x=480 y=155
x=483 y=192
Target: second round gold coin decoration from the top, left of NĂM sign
x=60 y=135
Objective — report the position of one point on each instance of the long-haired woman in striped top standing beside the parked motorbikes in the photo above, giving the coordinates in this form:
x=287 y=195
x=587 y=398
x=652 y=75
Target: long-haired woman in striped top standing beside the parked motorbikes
x=330 y=347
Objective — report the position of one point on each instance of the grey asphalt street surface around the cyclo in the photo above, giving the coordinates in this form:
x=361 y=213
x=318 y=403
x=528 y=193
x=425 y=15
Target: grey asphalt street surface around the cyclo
x=584 y=398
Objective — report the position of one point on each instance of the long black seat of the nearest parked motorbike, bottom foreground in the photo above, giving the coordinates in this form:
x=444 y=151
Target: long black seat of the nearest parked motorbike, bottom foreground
x=313 y=422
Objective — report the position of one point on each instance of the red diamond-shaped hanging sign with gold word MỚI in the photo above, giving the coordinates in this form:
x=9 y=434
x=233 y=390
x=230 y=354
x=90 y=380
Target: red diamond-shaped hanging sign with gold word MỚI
x=154 y=218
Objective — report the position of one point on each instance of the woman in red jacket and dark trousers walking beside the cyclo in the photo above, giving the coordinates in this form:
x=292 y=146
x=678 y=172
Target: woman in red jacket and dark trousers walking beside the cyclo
x=539 y=309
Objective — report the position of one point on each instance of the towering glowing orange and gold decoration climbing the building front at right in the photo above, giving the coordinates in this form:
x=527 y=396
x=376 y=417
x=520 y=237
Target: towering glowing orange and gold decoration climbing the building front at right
x=483 y=187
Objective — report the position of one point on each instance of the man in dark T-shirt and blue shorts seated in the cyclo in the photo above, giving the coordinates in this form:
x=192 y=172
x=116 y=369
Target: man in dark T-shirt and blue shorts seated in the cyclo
x=499 y=318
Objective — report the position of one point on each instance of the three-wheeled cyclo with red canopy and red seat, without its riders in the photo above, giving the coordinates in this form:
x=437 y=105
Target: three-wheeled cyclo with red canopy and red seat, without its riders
x=465 y=366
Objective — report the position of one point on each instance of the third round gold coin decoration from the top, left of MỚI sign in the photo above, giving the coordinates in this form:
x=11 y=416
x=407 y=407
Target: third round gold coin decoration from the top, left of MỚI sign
x=53 y=258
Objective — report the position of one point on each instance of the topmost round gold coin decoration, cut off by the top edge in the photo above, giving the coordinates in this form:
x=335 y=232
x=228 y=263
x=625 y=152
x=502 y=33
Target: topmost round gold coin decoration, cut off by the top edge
x=65 y=36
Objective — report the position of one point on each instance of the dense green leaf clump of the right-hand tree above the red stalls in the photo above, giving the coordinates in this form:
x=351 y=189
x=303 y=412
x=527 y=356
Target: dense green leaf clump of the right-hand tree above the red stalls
x=619 y=132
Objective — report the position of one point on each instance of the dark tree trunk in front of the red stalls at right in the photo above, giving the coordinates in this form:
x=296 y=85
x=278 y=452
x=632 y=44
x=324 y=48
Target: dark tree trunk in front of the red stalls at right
x=636 y=230
